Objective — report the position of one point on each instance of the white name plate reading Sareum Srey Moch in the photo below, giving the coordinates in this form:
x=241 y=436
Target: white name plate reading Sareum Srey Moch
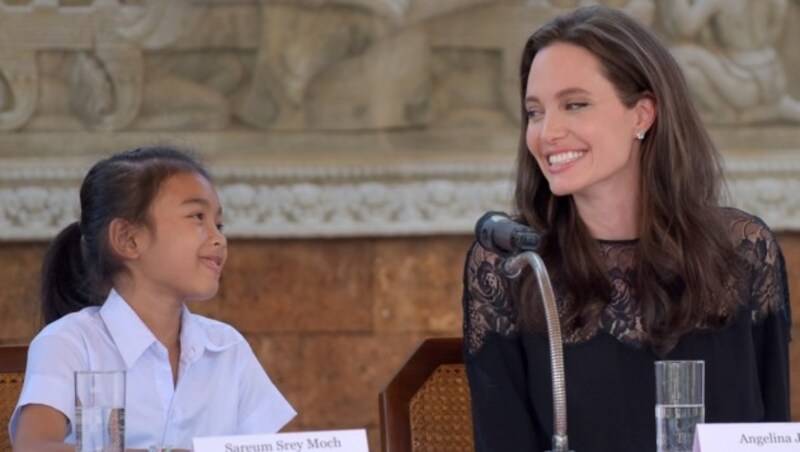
x=322 y=441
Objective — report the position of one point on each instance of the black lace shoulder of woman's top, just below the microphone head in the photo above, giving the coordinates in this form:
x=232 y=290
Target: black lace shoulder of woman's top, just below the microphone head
x=487 y=304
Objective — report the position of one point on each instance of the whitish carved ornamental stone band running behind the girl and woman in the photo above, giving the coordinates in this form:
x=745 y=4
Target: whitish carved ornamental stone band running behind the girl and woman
x=384 y=200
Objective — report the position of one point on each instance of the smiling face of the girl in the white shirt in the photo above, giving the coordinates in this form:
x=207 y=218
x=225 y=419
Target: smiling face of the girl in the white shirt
x=183 y=251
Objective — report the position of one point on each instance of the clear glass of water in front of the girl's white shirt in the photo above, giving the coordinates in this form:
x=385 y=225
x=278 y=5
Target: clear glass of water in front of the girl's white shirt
x=100 y=411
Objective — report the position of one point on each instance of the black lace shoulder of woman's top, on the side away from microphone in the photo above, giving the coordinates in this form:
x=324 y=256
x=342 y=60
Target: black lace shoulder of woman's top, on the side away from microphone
x=755 y=243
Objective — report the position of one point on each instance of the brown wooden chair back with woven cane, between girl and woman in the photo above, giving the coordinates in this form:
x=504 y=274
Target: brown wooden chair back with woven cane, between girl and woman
x=426 y=406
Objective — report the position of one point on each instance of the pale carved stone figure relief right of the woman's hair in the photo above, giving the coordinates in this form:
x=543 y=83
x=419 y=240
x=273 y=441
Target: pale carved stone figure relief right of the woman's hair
x=727 y=51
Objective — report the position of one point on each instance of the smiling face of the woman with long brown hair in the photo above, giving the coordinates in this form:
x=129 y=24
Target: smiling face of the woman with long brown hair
x=579 y=132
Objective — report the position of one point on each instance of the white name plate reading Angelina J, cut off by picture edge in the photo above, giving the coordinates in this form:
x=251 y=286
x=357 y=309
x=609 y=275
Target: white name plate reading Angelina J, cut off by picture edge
x=775 y=436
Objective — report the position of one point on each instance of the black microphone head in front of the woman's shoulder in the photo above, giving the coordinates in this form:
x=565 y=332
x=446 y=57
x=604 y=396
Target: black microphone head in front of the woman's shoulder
x=497 y=232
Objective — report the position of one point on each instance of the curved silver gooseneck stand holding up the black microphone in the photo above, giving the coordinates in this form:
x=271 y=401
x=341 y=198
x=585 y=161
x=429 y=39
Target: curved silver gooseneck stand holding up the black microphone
x=512 y=267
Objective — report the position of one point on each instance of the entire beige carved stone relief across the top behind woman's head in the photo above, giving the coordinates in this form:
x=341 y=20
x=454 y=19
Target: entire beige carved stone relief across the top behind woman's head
x=338 y=64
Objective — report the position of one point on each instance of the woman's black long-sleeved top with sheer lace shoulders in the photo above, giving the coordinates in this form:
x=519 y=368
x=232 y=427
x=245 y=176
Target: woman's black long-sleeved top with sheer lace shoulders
x=610 y=379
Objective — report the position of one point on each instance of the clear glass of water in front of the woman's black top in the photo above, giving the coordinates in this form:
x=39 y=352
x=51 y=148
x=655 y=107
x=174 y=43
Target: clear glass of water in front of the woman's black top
x=680 y=403
